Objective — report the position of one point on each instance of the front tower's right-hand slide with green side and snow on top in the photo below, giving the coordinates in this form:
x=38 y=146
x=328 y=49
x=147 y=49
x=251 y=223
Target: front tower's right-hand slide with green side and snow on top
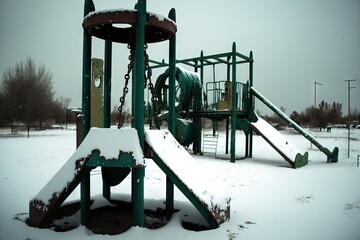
x=186 y=173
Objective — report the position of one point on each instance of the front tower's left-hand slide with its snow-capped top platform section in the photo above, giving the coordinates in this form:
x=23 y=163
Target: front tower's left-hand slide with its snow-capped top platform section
x=101 y=147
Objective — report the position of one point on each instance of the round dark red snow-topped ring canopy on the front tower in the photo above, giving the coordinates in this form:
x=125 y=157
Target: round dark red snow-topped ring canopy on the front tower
x=119 y=26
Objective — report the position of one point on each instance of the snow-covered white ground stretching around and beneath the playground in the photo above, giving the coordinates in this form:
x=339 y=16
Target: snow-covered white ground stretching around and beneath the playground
x=269 y=200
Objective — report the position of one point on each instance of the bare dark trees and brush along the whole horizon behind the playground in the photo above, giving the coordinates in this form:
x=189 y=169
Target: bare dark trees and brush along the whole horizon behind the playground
x=27 y=98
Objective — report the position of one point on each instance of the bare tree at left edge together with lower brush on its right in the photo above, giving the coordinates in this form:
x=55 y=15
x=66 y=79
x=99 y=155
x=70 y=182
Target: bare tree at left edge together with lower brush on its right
x=27 y=97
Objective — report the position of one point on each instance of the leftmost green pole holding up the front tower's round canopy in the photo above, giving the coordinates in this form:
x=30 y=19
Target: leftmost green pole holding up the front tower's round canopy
x=85 y=128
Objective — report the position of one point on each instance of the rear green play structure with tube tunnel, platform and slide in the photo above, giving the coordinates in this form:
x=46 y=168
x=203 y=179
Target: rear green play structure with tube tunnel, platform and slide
x=215 y=100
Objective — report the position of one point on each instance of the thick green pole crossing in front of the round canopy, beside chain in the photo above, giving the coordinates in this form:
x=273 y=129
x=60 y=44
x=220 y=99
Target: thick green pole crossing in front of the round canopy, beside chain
x=138 y=99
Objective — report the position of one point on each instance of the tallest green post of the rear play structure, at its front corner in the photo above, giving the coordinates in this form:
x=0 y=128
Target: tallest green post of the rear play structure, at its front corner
x=233 y=107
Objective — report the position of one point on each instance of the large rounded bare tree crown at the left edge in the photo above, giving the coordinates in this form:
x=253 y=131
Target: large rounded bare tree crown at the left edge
x=27 y=93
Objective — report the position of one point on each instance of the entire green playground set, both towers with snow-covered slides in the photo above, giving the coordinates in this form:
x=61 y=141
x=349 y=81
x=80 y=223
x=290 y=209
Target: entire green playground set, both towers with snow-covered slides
x=120 y=152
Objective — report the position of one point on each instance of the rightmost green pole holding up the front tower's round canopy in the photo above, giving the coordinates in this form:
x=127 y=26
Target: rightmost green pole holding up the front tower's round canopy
x=172 y=62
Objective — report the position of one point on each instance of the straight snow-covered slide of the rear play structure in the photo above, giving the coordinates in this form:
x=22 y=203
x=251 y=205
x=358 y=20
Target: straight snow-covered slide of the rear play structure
x=279 y=142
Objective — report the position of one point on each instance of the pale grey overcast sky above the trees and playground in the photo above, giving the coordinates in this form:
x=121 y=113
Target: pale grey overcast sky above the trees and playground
x=295 y=43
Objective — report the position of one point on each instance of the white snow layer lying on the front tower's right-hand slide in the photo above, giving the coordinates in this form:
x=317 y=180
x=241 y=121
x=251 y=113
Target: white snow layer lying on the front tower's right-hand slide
x=187 y=169
